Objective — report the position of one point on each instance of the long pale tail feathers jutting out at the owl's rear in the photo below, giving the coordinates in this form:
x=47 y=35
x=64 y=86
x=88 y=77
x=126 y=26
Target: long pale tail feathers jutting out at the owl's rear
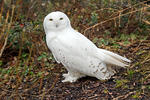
x=112 y=58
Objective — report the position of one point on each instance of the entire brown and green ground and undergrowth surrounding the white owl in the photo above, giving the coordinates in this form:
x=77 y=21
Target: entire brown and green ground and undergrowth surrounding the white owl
x=28 y=70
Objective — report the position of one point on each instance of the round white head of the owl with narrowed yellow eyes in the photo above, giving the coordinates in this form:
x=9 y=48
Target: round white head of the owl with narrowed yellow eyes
x=56 y=21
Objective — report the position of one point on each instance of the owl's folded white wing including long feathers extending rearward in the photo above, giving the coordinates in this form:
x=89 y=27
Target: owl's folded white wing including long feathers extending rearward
x=81 y=46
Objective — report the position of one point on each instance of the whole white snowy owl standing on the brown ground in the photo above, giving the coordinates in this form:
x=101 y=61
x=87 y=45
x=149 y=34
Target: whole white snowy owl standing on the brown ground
x=77 y=53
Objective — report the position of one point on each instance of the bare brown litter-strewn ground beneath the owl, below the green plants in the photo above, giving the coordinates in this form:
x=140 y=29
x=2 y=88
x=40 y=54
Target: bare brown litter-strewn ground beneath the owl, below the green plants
x=130 y=84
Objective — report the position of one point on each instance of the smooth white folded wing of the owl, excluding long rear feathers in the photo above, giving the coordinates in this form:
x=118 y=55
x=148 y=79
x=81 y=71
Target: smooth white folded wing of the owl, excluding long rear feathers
x=79 y=45
